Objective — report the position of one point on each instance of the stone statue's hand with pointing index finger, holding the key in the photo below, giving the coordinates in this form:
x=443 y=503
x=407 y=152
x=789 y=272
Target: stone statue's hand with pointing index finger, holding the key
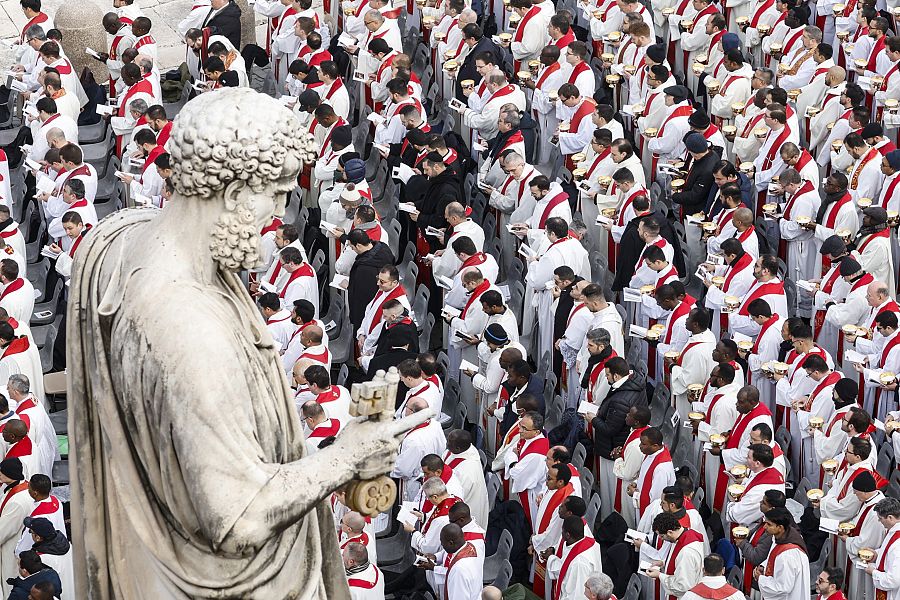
x=370 y=446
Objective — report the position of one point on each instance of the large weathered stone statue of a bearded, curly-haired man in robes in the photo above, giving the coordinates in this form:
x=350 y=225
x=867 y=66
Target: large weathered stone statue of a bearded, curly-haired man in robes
x=190 y=479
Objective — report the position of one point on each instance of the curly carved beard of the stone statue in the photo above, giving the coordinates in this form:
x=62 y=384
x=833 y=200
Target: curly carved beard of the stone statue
x=235 y=237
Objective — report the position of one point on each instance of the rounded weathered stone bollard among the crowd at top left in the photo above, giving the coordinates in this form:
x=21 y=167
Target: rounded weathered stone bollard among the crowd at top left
x=81 y=24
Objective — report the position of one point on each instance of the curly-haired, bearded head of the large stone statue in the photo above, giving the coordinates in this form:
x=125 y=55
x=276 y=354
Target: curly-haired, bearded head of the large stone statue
x=242 y=150
